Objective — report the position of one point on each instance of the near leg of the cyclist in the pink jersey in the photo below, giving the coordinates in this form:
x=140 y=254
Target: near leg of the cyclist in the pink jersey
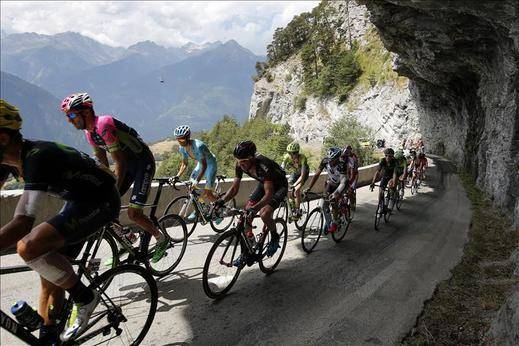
x=141 y=189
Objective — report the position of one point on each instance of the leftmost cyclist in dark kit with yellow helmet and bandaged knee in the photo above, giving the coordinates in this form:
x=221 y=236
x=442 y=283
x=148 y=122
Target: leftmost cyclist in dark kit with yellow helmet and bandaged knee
x=92 y=200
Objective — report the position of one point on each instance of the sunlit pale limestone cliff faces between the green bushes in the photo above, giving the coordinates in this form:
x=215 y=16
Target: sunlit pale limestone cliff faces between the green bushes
x=387 y=108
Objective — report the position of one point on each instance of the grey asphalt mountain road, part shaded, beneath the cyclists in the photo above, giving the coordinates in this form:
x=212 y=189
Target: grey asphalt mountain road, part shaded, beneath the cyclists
x=367 y=290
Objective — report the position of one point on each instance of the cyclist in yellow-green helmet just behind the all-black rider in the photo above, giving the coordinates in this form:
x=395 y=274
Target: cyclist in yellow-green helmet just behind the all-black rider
x=296 y=164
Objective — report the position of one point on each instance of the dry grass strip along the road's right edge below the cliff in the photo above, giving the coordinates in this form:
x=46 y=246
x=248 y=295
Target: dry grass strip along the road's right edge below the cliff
x=462 y=307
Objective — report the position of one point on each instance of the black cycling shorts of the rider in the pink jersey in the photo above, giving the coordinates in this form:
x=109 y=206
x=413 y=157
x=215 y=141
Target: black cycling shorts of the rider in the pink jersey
x=141 y=175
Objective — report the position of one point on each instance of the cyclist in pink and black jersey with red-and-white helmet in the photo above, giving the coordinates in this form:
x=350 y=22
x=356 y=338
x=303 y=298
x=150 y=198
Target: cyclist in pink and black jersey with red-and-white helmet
x=134 y=162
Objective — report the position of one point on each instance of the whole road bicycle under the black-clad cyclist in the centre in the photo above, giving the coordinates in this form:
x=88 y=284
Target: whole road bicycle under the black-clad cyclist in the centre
x=234 y=249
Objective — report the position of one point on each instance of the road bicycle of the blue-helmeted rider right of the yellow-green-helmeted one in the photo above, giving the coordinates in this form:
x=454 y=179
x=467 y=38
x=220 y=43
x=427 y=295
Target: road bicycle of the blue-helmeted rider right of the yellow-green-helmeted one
x=314 y=225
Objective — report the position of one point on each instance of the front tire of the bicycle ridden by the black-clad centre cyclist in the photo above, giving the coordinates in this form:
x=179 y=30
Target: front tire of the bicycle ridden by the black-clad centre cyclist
x=232 y=245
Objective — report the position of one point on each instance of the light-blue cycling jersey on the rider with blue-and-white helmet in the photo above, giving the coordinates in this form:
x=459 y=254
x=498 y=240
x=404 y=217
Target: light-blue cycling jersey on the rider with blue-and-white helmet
x=201 y=151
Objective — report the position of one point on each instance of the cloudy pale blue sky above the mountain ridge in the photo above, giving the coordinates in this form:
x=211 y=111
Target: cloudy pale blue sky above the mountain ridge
x=171 y=23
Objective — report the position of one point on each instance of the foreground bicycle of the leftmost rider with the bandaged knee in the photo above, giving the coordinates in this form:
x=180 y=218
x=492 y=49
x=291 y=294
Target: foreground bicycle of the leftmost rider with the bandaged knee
x=126 y=309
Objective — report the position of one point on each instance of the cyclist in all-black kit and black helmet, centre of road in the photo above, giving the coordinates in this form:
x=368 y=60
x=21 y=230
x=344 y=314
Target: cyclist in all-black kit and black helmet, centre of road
x=271 y=190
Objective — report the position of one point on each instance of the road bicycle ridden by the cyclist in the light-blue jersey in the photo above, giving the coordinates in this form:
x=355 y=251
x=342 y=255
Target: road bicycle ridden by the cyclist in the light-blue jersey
x=193 y=210
